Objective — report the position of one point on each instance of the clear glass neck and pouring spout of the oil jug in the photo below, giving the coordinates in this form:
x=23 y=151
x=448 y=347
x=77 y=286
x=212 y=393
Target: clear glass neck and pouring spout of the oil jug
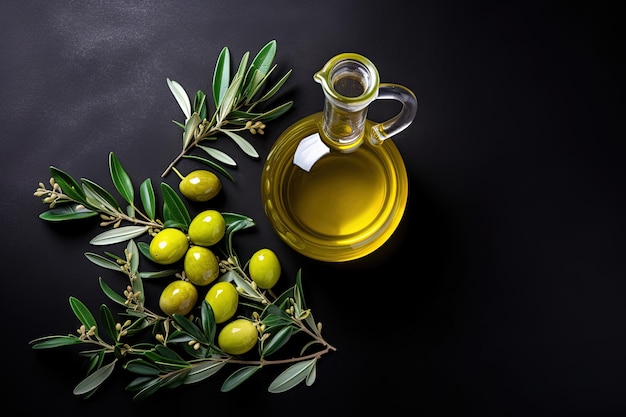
x=350 y=83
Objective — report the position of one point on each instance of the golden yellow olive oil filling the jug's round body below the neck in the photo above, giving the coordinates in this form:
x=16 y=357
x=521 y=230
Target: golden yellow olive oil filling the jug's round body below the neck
x=346 y=206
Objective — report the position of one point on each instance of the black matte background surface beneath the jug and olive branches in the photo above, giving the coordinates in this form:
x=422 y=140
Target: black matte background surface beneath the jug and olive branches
x=503 y=293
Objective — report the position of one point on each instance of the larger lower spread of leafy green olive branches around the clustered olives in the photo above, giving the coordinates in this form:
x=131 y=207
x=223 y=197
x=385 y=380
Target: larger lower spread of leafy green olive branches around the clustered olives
x=183 y=349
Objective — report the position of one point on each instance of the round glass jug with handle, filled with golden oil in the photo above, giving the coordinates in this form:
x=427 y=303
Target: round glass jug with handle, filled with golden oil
x=333 y=186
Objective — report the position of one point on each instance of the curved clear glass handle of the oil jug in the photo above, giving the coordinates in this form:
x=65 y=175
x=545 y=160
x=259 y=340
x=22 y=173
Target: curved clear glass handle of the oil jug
x=402 y=120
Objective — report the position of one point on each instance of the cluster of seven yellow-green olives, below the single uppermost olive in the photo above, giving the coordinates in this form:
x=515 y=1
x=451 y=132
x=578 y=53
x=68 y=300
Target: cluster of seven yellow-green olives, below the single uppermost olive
x=201 y=267
